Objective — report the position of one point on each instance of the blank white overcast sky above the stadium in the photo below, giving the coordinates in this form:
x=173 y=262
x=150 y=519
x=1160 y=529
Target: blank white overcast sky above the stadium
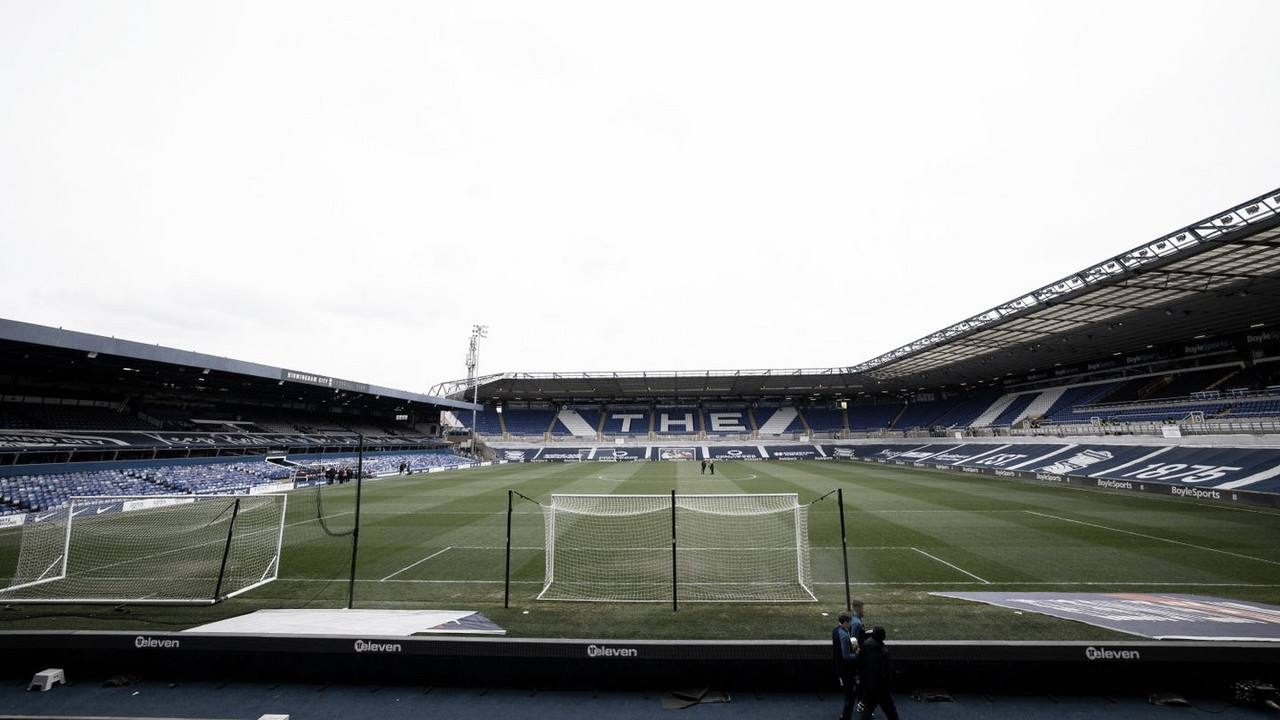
x=348 y=188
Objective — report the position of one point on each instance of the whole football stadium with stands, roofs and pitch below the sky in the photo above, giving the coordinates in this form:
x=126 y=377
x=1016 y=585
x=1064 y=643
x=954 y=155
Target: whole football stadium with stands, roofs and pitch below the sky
x=1078 y=489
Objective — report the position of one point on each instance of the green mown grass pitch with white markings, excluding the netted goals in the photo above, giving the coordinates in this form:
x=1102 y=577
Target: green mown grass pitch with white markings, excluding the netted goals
x=440 y=541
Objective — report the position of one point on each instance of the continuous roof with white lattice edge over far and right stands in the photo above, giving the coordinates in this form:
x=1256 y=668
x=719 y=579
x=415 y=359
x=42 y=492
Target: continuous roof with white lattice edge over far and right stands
x=1215 y=279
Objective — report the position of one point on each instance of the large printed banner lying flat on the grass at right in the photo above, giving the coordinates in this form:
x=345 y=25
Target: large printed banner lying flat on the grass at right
x=1159 y=617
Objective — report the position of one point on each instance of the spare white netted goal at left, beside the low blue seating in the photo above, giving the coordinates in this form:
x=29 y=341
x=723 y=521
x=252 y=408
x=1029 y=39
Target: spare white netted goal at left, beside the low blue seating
x=163 y=550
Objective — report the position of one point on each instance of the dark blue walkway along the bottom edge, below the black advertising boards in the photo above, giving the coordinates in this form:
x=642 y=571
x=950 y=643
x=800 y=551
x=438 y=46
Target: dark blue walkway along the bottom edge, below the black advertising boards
x=248 y=701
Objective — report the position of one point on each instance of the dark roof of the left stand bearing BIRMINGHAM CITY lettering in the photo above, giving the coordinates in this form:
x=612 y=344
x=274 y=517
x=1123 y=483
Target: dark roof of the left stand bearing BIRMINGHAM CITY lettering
x=38 y=361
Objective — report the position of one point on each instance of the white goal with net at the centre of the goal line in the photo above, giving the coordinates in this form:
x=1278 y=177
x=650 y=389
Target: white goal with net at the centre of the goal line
x=662 y=548
